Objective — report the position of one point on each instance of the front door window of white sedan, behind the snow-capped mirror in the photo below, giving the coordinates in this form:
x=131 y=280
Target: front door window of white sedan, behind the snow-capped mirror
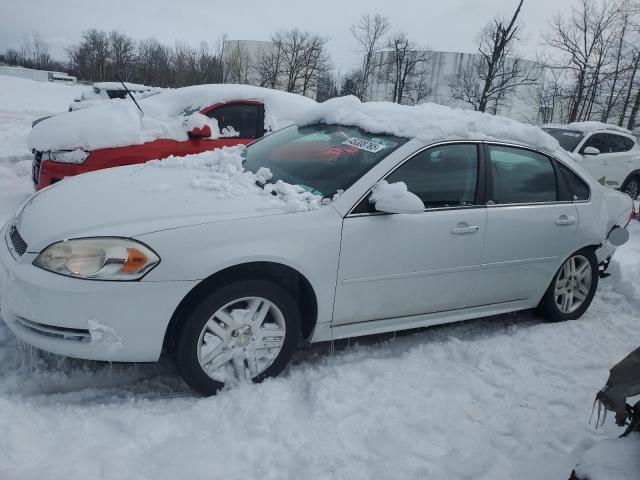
x=442 y=176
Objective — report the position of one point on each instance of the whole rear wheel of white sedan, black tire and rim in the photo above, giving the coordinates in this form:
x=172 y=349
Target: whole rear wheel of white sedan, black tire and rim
x=554 y=306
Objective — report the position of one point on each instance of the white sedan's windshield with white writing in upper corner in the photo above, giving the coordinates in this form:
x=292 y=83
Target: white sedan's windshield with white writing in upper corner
x=323 y=159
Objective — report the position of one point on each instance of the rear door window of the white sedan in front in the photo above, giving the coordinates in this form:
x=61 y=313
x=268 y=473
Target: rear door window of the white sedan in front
x=521 y=176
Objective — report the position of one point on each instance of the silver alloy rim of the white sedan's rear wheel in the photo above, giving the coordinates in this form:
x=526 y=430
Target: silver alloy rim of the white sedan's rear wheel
x=573 y=284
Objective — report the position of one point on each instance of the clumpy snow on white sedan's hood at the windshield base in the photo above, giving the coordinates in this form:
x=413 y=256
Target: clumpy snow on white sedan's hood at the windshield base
x=221 y=172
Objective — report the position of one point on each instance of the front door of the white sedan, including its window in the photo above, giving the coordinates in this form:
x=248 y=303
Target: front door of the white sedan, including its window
x=397 y=265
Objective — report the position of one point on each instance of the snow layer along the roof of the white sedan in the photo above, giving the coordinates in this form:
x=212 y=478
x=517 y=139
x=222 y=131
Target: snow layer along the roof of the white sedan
x=427 y=122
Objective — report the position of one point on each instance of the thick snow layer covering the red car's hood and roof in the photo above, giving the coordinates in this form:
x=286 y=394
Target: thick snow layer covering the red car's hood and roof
x=168 y=115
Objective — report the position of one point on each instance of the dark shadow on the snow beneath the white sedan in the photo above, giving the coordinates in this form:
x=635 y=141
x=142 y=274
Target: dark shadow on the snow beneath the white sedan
x=28 y=372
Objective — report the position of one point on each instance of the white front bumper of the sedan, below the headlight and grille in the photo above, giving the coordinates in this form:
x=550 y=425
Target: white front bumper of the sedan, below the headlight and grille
x=94 y=320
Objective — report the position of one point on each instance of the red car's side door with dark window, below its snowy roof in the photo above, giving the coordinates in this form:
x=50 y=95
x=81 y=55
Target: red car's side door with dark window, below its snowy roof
x=239 y=123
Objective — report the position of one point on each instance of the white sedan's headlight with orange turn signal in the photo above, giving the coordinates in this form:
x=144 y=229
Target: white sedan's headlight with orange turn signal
x=100 y=258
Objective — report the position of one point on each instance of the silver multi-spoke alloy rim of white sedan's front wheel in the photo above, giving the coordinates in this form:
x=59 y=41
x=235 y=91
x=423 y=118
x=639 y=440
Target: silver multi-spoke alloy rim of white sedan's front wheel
x=241 y=339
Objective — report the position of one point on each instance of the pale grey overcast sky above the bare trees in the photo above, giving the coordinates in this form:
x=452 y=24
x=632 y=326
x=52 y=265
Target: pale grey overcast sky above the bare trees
x=449 y=25
